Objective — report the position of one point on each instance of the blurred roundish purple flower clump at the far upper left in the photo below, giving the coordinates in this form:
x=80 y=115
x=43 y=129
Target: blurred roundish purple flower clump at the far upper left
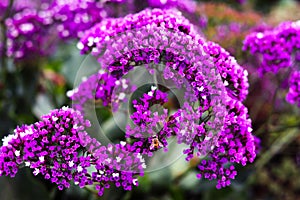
x=27 y=34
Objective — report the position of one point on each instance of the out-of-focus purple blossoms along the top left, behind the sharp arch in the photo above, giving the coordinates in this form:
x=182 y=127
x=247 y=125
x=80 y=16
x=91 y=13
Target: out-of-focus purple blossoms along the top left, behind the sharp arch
x=33 y=26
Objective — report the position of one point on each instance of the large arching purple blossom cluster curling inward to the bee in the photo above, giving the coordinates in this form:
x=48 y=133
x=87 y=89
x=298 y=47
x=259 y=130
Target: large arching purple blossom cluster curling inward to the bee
x=163 y=37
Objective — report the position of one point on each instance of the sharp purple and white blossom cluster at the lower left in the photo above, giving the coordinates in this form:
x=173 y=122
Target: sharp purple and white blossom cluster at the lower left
x=58 y=148
